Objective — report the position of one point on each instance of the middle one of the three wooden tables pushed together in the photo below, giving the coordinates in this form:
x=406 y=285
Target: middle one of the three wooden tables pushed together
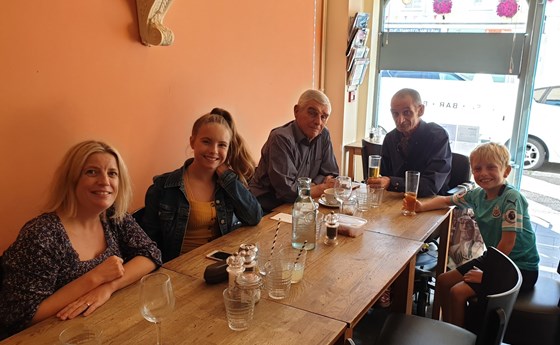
x=340 y=282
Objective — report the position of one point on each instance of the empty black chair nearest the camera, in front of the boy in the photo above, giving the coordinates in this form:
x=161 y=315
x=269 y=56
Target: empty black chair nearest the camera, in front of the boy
x=502 y=279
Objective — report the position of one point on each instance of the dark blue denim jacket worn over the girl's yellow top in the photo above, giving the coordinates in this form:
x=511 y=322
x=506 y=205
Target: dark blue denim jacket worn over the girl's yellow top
x=166 y=214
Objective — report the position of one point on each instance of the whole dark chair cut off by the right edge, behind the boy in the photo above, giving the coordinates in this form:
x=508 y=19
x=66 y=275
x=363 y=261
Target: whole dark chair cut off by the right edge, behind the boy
x=535 y=318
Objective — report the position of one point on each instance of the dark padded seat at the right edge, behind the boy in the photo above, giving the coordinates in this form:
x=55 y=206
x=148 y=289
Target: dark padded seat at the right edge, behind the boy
x=543 y=299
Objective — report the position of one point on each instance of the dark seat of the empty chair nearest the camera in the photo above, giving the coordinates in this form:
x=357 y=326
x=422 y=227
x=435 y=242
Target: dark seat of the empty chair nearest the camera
x=400 y=329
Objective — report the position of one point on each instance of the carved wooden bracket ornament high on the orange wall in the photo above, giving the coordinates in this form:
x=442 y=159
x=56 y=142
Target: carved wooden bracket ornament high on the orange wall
x=150 y=22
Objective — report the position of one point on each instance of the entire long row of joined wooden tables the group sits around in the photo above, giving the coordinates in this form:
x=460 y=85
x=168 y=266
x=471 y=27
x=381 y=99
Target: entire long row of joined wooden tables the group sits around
x=340 y=284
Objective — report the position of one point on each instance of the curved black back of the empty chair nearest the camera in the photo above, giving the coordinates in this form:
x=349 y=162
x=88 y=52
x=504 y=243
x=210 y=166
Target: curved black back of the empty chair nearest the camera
x=501 y=282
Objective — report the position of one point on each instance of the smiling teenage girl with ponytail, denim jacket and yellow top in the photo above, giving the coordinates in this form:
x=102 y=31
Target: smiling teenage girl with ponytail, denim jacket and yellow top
x=207 y=197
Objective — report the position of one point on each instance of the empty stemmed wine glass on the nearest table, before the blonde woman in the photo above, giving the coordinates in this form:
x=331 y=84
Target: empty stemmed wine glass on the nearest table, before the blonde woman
x=156 y=299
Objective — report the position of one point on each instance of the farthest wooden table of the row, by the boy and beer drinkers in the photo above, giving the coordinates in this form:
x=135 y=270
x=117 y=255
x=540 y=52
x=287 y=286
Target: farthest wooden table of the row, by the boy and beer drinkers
x=387 y=219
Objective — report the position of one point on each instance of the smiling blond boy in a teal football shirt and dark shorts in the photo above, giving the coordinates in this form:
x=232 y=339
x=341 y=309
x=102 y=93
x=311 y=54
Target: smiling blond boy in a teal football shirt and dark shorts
x=503 y=219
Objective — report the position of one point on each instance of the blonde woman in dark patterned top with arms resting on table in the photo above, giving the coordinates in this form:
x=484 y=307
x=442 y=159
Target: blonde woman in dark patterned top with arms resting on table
x=69 y=260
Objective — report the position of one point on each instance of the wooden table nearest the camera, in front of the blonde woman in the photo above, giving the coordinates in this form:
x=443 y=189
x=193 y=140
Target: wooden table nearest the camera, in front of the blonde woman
x=199 y=318
